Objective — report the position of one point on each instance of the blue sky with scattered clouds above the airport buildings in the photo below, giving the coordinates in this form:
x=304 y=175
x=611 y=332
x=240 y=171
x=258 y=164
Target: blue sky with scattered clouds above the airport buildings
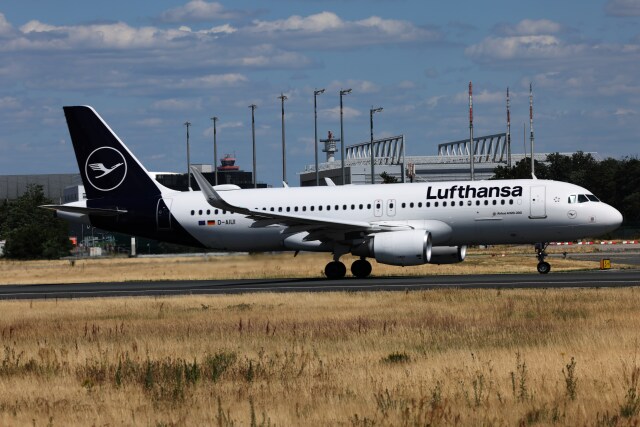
x=147 y=67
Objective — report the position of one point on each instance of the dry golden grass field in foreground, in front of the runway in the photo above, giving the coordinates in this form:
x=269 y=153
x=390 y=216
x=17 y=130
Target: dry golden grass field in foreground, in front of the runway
x=446 y=357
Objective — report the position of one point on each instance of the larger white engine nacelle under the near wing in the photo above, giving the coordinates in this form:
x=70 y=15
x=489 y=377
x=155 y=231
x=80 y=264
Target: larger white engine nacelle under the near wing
x=408 y=247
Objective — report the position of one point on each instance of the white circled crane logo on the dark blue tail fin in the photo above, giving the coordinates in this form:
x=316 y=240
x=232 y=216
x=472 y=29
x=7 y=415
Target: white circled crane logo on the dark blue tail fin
x=105 y=168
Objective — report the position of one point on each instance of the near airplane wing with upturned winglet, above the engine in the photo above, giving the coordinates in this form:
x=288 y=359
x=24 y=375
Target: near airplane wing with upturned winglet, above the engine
x=303 y=222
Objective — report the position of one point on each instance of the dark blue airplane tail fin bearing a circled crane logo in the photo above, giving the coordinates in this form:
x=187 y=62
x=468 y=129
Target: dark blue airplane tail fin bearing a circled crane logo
x=107 y=167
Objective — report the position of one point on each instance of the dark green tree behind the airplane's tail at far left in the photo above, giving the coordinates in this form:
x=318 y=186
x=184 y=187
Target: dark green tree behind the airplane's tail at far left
x=32 y=232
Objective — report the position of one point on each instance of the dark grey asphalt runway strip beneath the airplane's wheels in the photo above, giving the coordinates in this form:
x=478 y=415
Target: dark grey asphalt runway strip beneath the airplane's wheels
x=590 y=279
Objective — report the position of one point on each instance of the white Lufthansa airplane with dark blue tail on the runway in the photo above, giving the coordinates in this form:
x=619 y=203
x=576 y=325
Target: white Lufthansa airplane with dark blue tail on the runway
x=397 y=224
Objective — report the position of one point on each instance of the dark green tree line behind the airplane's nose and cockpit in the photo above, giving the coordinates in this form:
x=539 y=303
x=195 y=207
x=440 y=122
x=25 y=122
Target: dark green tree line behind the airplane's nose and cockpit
x=615 y=182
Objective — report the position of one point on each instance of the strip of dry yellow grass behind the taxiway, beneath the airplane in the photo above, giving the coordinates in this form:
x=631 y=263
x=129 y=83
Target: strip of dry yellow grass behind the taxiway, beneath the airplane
x=497 y=259
